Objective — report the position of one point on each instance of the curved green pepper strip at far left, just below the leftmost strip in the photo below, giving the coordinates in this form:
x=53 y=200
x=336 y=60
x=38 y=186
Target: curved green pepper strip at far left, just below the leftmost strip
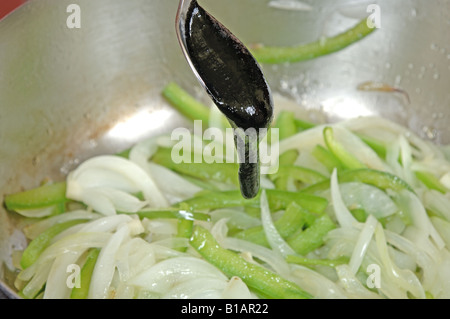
x=38 y=245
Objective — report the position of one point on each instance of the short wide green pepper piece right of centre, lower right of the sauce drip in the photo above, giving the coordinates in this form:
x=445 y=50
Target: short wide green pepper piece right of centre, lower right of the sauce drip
x=305 y=241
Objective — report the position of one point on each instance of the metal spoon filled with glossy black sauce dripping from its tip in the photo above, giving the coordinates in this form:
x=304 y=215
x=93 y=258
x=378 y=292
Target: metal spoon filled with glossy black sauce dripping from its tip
x=233 y=79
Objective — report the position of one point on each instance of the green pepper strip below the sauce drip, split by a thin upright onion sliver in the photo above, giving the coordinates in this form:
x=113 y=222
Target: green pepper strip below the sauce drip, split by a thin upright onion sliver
x=293 y=219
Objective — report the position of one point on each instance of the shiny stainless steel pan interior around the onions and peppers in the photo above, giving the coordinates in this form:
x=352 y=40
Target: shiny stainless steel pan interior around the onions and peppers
x=70 y=92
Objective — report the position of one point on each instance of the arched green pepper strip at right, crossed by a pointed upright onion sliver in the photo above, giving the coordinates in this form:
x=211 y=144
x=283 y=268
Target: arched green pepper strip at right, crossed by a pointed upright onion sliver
x=380 y=179
